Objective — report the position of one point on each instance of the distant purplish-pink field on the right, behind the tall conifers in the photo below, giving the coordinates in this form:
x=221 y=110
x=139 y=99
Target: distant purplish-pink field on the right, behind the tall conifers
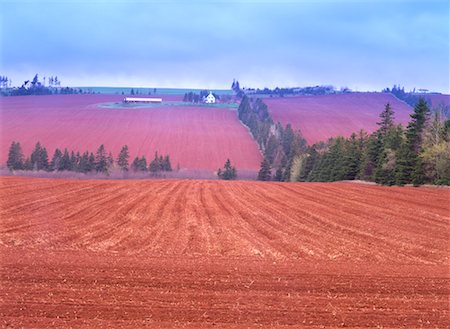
x=322 y=117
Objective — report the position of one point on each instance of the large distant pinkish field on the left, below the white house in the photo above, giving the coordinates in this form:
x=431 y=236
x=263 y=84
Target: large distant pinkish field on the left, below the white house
x=194 y=137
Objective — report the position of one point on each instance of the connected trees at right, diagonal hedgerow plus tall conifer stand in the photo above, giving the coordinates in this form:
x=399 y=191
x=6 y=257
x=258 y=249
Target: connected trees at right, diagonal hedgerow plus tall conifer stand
x=392 y=155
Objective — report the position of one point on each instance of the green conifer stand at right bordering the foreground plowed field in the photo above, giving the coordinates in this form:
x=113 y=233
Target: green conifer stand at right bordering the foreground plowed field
x=392 y=155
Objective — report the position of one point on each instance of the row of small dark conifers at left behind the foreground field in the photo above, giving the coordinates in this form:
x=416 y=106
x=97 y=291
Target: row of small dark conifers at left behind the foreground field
x=86 y=162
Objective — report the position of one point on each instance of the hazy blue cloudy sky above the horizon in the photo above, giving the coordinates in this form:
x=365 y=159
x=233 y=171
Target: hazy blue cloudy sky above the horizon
x=365 y=45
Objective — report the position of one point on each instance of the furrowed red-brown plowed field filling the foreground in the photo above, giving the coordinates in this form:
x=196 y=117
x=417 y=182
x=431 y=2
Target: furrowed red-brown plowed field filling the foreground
x=214 y=254
